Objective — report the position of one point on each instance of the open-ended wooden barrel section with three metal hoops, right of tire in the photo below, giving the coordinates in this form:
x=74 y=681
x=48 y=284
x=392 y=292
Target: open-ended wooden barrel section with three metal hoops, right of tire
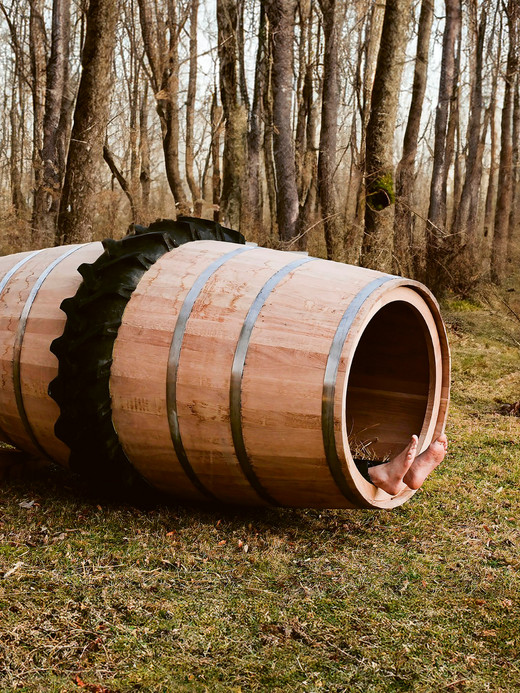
x=255 y=376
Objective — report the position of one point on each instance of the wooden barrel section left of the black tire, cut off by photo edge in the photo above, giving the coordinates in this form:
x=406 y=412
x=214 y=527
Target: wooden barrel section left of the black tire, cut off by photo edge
x=32 y=286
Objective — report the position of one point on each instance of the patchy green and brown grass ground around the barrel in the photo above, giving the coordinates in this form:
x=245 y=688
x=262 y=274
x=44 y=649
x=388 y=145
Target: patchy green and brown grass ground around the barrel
x=108 y=598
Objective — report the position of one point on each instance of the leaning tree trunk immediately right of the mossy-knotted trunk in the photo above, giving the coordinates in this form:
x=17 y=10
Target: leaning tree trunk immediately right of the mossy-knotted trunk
x=406 y=257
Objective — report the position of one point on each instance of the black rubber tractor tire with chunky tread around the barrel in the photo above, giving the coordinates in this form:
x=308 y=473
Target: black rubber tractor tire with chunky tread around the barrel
x=84 y=351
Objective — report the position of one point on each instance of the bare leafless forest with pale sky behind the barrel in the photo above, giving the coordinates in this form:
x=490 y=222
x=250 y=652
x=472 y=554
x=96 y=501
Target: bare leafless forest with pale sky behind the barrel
x=385 y=134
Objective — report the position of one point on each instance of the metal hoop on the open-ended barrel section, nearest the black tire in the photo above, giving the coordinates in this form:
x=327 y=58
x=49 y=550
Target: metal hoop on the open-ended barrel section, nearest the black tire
x=173 y=365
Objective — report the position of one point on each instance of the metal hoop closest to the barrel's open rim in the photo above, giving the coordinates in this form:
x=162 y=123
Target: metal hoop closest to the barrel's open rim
x=329 y=383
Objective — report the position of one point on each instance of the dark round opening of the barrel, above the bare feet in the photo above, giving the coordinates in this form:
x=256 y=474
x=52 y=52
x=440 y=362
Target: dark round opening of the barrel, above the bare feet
x=389 y=383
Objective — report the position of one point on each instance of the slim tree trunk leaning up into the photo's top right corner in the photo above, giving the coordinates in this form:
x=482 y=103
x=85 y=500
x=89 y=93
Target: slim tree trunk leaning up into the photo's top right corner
x=505 y=188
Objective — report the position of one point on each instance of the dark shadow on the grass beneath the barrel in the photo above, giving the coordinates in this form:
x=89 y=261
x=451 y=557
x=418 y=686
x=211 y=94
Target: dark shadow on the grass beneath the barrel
x=53 y=487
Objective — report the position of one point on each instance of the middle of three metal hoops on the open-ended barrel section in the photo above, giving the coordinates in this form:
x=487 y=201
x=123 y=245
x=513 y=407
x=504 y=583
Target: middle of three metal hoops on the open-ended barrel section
x=237 y=371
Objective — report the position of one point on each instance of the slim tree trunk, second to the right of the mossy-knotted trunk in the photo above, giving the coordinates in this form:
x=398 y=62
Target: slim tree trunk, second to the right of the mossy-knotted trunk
x=437 y=209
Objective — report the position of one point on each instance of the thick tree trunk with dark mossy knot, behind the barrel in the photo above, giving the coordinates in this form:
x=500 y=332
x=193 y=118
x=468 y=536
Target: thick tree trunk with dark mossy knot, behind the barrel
x=377 y=247
